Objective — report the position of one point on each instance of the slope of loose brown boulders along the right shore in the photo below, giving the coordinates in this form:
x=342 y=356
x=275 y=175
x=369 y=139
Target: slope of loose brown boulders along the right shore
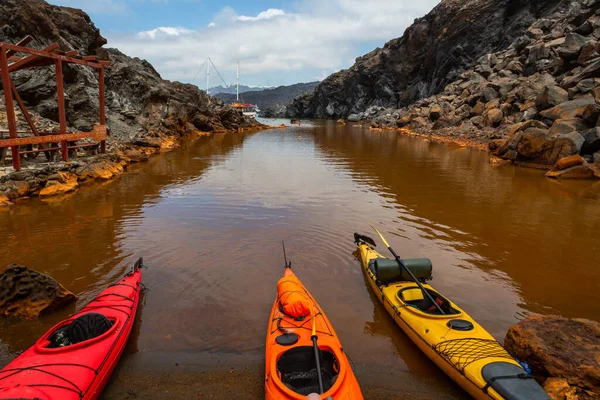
x=535 y=102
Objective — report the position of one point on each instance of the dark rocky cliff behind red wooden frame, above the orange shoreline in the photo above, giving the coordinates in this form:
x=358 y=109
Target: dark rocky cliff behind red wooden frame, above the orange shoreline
x=139 y=101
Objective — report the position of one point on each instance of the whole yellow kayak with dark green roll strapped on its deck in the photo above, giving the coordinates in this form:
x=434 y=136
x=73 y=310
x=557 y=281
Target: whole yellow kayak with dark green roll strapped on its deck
x=465 y=351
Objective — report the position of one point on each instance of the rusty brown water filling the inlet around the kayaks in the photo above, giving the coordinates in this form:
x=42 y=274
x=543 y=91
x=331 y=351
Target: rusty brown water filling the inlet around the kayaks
x=209 y=218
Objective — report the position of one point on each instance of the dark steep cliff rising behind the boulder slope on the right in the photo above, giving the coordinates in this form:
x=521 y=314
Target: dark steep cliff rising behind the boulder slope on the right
x=432 y=53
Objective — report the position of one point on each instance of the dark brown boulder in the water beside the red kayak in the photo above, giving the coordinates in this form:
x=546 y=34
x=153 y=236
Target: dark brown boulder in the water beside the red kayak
x=25 y=293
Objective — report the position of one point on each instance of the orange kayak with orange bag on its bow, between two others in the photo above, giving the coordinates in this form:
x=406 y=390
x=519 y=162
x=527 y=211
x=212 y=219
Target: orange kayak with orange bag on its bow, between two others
x=291 y=359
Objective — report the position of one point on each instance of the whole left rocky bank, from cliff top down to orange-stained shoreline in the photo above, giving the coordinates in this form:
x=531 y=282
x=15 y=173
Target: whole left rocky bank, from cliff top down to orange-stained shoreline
x=144 y=112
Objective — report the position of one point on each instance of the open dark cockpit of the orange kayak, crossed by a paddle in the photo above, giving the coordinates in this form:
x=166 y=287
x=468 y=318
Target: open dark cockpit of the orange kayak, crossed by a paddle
x=298 y=371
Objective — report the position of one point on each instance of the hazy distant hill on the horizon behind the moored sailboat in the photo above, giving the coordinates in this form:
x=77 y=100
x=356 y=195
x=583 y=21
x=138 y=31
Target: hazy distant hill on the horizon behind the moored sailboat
x=270 y=99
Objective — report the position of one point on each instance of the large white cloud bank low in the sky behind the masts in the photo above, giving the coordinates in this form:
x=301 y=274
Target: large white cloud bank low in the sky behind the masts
x=275 y=47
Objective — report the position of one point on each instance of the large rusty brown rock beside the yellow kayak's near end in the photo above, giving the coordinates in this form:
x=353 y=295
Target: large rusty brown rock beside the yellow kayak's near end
x=563 y=353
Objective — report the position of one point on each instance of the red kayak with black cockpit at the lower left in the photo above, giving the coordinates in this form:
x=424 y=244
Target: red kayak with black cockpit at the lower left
x=75 y=358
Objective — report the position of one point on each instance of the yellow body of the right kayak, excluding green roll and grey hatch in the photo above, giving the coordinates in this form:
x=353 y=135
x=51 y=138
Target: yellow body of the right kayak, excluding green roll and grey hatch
x=454 y=341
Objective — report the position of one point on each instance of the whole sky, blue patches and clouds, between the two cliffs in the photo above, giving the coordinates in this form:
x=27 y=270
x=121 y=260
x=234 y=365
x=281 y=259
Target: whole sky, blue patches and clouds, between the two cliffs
x=276 y=42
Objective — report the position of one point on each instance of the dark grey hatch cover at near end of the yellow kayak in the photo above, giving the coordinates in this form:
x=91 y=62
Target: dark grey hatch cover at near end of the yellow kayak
x=512 y=382
